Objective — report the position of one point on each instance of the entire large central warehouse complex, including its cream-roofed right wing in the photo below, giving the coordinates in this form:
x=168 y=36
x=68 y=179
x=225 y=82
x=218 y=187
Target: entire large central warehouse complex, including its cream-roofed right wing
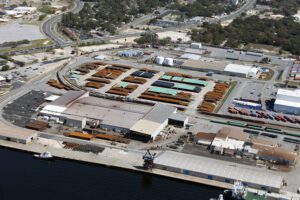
x=77 y=108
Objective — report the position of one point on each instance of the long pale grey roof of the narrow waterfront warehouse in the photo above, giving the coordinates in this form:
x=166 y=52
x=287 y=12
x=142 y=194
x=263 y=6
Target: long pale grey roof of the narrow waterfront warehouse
x=223 y=169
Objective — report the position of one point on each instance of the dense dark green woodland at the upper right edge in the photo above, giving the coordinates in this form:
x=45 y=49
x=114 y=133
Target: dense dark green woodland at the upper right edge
x=282 y=33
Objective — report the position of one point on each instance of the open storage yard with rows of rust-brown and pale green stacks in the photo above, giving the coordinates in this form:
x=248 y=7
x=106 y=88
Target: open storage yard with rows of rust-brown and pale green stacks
x=144 y=84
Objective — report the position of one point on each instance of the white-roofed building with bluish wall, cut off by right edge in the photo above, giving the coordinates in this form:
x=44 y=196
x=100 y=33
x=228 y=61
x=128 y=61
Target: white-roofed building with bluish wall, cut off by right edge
x=287 y=101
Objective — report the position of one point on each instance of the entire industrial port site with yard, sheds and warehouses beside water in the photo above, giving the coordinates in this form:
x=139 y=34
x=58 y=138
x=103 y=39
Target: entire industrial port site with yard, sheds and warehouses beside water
x=219 y=113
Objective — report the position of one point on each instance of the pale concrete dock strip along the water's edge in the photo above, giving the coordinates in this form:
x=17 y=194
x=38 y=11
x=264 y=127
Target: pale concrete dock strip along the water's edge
x=122 y=159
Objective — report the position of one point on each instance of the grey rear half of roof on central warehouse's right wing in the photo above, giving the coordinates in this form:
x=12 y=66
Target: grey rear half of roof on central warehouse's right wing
x=160 y=113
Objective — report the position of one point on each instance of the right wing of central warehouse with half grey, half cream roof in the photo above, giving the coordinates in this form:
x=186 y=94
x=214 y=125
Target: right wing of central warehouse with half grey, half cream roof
x=152 y=123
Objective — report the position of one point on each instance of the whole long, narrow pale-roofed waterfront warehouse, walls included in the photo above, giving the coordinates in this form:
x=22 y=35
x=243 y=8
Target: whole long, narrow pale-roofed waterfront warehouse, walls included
x=216 y=170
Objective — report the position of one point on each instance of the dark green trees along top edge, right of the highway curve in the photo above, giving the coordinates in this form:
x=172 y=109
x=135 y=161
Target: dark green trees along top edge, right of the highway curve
x=109 y=14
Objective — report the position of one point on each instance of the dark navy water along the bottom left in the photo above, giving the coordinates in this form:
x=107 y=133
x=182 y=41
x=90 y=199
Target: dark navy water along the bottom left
x=23 y=177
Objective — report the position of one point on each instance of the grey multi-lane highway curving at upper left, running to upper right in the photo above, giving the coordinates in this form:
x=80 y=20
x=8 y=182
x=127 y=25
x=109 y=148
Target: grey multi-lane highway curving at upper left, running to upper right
x=49 y=27
